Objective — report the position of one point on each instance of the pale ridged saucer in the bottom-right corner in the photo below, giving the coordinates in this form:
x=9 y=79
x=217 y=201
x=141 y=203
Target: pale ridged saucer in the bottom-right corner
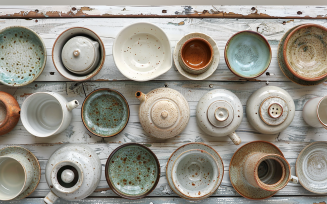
x=311 y=167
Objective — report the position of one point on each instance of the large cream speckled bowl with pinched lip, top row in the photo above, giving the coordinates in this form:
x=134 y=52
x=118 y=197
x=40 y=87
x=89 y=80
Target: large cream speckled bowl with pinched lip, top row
x=142 y=52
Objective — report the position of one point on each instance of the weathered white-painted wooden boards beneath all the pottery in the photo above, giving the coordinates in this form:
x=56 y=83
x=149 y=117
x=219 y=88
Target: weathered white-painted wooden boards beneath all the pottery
x=220 y=22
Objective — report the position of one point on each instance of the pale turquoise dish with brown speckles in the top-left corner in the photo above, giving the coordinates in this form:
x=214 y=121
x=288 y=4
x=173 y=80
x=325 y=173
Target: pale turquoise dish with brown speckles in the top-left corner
x=23 y=56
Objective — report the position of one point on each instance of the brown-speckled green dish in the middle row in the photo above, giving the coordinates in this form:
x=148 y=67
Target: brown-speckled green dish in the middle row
x=105 y=112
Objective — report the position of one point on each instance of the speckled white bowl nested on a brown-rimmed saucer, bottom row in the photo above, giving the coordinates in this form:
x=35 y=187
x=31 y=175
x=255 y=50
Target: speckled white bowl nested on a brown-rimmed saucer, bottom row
x=195 y=174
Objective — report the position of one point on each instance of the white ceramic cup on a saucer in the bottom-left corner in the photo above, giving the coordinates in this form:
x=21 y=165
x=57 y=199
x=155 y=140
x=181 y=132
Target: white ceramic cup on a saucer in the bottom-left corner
x=15 y=176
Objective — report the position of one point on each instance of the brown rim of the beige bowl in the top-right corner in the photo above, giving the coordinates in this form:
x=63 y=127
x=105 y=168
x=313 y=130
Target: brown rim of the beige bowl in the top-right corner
x=285 y=47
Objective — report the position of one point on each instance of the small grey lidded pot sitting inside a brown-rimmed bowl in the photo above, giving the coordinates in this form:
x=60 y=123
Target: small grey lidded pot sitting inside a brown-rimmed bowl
x=80 y=55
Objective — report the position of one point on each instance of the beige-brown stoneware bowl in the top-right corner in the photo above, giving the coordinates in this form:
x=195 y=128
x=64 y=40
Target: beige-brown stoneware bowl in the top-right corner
x=305 y=52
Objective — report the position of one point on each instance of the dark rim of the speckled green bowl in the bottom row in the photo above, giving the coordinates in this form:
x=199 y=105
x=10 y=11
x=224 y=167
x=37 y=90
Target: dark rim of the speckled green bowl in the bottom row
x=107 y=174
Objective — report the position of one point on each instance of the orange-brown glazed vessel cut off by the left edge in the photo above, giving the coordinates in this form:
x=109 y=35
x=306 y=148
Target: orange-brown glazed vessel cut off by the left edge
x=9 y=112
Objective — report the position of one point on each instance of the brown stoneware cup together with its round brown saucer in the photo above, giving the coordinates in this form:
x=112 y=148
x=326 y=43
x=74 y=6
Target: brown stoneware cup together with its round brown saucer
x=258 y=170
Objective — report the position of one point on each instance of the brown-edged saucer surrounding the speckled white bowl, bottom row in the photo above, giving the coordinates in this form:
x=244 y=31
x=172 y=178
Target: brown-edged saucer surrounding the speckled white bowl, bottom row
x=184 y=148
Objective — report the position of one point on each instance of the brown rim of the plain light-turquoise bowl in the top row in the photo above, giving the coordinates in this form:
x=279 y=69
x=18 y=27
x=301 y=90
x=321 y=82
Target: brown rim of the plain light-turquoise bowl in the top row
x=226 y=58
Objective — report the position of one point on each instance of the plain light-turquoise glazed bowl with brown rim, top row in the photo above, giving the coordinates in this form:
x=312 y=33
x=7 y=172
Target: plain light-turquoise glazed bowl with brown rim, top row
x=247 y=54
